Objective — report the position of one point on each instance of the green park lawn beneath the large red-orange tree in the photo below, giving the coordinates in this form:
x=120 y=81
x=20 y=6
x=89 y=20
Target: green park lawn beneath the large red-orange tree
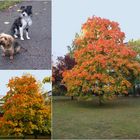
x=86 y=119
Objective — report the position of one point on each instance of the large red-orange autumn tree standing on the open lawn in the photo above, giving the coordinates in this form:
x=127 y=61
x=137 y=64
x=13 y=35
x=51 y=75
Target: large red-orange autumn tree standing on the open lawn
x=105 y=65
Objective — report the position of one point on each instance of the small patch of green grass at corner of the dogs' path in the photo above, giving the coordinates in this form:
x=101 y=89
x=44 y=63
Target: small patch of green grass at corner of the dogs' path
x=7 y=3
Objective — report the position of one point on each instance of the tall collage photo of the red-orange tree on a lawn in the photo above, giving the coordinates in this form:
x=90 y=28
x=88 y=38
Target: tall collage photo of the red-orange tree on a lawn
x=96 y=69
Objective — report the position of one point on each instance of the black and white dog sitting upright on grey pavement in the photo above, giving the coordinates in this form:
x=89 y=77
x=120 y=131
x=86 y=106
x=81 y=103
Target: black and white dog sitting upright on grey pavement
x=22 y=23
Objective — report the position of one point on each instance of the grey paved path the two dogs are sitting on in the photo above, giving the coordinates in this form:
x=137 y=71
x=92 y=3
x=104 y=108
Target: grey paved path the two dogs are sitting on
x=38 y=54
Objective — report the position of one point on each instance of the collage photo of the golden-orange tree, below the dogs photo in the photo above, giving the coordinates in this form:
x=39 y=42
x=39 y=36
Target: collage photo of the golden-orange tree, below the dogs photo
x=25 y=104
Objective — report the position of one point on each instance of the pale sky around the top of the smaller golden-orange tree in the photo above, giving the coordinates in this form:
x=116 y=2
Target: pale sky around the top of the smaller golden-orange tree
x=8 y=74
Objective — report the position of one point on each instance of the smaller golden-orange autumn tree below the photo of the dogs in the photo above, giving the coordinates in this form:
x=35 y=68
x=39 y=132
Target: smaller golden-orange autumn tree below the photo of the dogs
x=24 y=109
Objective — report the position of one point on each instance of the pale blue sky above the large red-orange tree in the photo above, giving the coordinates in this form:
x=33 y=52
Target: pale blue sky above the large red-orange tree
x=69 y=15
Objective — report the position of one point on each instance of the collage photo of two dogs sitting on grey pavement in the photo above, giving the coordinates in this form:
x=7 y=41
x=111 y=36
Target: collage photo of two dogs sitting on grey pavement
x=25 y=34
